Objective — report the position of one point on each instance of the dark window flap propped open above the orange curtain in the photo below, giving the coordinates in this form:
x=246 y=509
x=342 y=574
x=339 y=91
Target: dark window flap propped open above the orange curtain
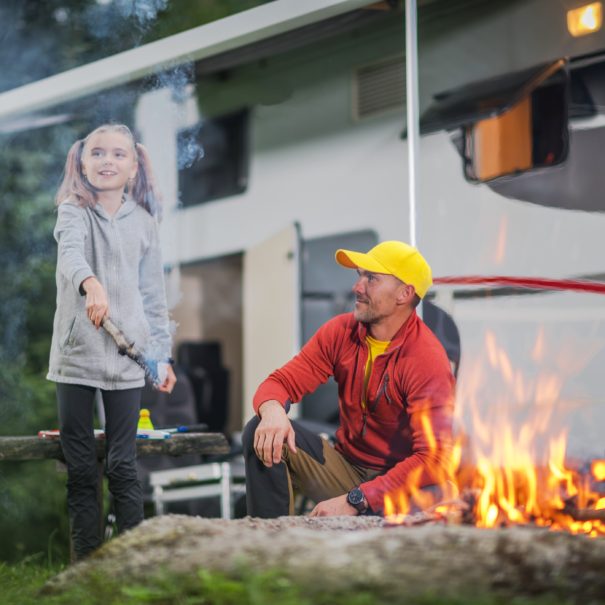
x=484 y=99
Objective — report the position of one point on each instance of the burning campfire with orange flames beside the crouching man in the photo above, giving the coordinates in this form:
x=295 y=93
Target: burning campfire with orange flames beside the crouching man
x=510 y=466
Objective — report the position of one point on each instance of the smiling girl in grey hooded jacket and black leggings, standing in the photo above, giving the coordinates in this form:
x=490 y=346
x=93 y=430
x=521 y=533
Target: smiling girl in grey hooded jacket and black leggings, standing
x=108 y=265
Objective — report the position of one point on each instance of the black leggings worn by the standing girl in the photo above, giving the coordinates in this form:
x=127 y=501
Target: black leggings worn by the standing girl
x=76 y=411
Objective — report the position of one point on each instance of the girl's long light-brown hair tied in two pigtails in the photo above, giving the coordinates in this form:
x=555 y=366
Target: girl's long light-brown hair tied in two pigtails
x=75 y=185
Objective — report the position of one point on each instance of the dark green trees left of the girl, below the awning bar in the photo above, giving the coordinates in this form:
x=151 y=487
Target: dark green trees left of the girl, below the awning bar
x=32 y=509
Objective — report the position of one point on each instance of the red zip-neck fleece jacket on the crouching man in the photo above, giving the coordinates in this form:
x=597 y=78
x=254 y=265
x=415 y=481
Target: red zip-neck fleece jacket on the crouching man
x=409 y=383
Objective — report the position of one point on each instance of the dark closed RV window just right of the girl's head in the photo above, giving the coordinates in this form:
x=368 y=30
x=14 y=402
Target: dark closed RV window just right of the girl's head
x=213 y=159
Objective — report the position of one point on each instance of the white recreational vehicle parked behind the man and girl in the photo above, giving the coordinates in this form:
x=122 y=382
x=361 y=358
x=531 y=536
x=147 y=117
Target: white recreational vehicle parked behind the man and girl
x=309 y=134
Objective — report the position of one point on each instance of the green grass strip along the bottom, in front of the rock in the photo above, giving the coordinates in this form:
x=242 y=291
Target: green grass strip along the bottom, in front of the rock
x=21 y=585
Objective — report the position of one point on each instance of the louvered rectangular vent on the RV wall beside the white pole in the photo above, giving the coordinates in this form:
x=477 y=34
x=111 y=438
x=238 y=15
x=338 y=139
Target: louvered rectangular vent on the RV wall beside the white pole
x=378 y=88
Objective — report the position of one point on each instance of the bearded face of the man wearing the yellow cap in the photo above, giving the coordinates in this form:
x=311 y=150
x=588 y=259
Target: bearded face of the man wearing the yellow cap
x=377 y=296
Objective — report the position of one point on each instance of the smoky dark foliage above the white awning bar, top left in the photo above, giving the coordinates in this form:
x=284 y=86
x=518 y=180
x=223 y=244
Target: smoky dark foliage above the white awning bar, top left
x=40 y=39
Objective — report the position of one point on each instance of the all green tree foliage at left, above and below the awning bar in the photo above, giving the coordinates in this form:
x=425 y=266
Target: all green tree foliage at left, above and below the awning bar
x=38 y=40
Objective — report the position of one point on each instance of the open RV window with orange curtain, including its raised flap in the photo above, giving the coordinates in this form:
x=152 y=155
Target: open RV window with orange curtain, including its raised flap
x=511 y=123
